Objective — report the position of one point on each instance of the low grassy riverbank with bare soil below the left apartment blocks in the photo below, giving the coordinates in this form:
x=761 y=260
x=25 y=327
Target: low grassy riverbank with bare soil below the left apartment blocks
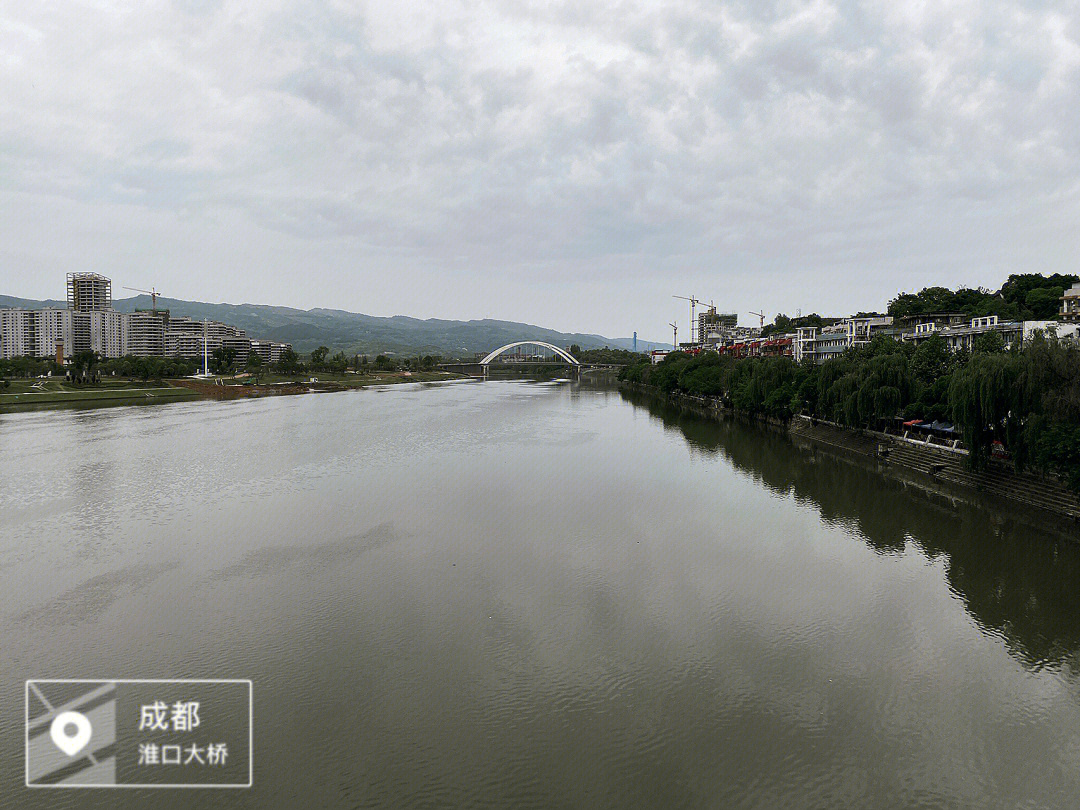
x=57 y=394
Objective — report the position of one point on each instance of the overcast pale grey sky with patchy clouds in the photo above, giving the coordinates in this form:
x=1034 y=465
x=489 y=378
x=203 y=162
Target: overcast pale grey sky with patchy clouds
x=573 y=165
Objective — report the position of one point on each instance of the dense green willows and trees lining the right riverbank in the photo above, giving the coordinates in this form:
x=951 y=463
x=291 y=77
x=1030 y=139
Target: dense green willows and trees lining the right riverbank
x=1027 y=398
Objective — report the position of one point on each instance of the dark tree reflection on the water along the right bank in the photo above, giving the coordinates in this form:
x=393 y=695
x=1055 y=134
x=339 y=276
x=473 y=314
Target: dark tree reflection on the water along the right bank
x=1012 y=579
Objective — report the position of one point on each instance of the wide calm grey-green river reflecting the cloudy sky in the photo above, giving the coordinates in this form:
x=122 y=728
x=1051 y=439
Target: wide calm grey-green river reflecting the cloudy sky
x=520 y=595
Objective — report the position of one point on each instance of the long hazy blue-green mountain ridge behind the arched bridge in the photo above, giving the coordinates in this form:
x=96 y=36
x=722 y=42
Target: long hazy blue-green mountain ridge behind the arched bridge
x=353 y=332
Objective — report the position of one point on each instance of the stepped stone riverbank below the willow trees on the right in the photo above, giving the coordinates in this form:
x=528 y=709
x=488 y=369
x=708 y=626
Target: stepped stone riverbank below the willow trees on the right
x=940 y=471
